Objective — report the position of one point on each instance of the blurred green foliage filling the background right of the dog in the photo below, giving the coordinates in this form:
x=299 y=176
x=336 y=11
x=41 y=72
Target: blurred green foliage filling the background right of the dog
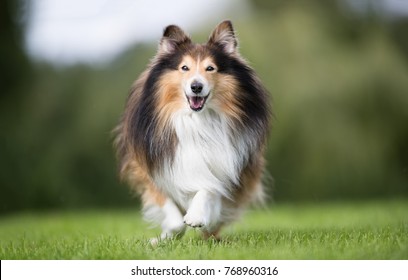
x=340 y=89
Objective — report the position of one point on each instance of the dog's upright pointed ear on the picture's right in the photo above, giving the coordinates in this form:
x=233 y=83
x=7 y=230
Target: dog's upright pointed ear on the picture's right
x=223 y=36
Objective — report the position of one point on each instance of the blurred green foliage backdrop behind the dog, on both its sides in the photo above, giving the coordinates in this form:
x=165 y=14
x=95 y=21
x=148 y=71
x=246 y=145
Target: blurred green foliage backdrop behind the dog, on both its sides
x=338 y=78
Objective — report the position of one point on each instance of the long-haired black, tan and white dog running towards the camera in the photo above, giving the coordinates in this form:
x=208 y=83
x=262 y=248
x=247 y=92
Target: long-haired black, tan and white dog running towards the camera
x=192 y=137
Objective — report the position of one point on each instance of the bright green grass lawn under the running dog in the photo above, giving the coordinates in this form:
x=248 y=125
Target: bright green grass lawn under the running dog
x=369 y=230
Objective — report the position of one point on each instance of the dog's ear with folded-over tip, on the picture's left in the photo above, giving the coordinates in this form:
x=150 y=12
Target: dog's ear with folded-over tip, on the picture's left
x=173 y=38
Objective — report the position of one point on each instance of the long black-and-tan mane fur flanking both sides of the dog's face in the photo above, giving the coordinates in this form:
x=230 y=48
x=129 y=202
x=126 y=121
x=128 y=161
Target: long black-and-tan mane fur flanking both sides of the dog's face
x=149 y=130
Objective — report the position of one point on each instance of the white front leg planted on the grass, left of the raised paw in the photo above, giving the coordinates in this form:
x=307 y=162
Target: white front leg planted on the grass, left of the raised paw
x=172 y=224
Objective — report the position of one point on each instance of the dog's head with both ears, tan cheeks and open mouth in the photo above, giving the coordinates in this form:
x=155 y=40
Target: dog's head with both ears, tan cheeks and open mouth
x=194 y=80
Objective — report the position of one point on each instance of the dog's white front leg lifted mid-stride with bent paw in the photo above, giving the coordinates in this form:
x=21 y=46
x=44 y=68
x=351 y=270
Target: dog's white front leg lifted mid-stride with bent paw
x=204 y=210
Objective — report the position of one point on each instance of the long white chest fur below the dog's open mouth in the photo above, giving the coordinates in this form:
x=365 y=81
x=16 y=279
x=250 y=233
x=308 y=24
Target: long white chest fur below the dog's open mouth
x=207 y=157
